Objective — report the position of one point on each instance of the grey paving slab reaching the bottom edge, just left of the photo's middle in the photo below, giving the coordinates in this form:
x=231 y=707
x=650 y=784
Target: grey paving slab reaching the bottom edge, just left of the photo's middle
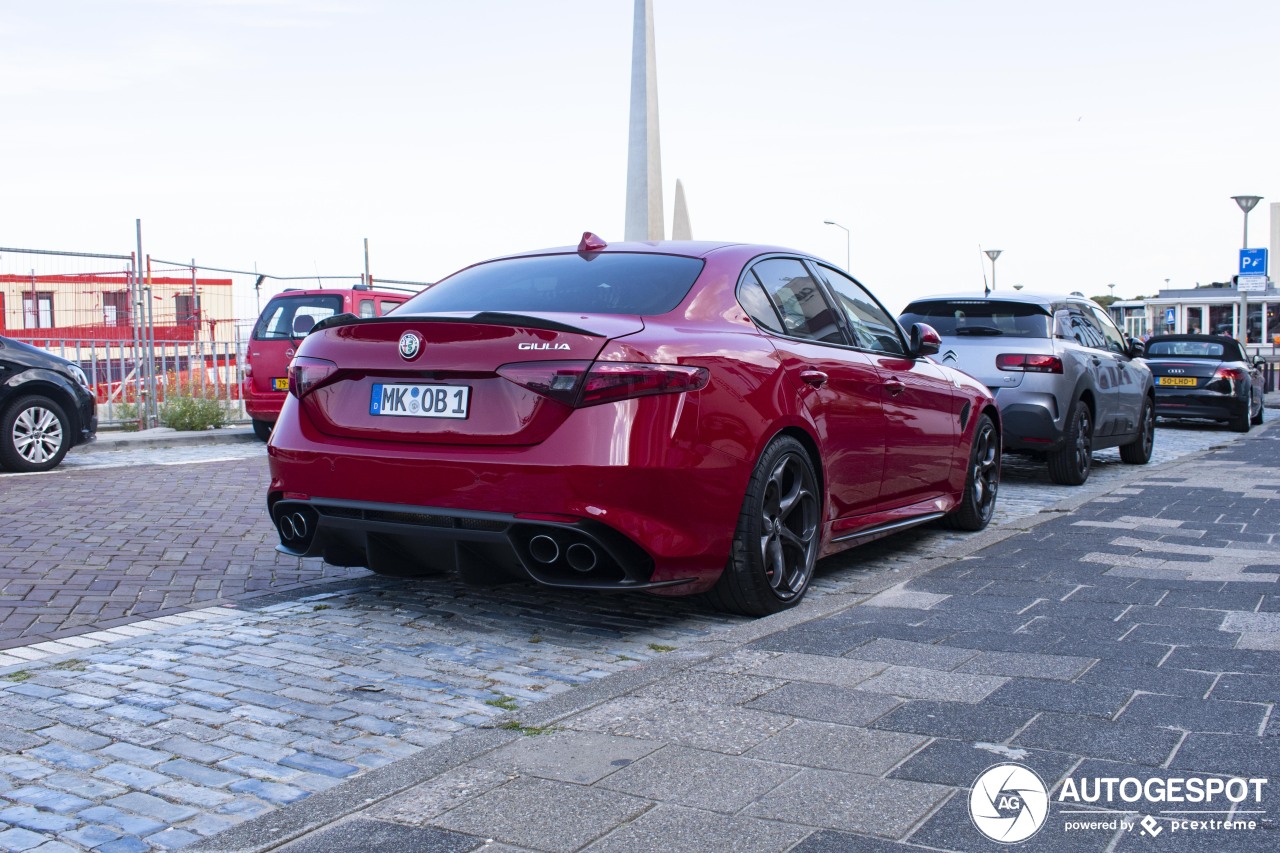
x=543 y=815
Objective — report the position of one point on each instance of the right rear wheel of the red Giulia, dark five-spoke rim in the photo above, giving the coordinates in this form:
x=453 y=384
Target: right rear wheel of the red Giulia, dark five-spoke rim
x=778 y=537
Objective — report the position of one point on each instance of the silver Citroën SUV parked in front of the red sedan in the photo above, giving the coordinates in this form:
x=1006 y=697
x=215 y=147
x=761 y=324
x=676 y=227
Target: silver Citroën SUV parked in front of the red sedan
x=1067 y=381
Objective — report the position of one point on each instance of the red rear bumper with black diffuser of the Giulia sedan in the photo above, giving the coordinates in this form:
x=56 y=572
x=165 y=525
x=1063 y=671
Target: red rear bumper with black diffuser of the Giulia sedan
x=660 y=513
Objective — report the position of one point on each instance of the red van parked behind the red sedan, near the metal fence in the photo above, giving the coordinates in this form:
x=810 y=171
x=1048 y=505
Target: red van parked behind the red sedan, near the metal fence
x=287 y=320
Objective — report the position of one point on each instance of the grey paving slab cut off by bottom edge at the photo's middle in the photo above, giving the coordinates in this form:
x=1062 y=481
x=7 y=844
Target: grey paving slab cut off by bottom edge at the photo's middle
x=685 y=831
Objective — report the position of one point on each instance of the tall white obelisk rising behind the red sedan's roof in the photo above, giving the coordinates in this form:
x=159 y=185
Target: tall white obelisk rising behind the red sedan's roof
x=644 y=153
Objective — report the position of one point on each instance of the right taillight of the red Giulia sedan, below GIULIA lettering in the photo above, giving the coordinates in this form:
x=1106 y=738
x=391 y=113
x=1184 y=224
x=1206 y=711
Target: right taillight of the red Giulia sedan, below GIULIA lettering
x=583 y=384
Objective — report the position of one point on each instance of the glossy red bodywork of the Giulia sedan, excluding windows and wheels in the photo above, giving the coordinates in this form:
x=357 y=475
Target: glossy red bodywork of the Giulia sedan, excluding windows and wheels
x=657 y=482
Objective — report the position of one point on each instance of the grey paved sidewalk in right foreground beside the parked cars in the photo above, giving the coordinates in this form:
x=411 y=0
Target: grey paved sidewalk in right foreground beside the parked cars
x=1136 y=636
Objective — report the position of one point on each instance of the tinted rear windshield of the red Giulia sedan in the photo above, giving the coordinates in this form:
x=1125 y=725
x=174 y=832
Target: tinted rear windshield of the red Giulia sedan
x=605 y=284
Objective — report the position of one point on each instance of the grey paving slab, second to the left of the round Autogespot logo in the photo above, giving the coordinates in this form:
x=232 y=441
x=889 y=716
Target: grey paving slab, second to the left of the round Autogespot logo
x=697 y=778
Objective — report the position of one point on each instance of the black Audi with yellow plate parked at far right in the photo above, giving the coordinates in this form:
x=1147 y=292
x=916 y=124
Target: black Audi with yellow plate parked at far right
x=1206 y=376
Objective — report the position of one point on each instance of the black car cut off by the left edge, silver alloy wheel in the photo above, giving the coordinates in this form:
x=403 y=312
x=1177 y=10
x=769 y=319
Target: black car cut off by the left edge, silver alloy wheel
x=47 y=408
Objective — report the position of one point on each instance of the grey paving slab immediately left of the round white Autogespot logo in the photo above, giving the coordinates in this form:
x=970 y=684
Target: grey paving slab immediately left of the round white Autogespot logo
x=885 y=808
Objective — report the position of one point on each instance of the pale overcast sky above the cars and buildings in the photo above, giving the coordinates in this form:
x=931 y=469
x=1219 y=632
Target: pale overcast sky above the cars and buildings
x=1094 y=143
